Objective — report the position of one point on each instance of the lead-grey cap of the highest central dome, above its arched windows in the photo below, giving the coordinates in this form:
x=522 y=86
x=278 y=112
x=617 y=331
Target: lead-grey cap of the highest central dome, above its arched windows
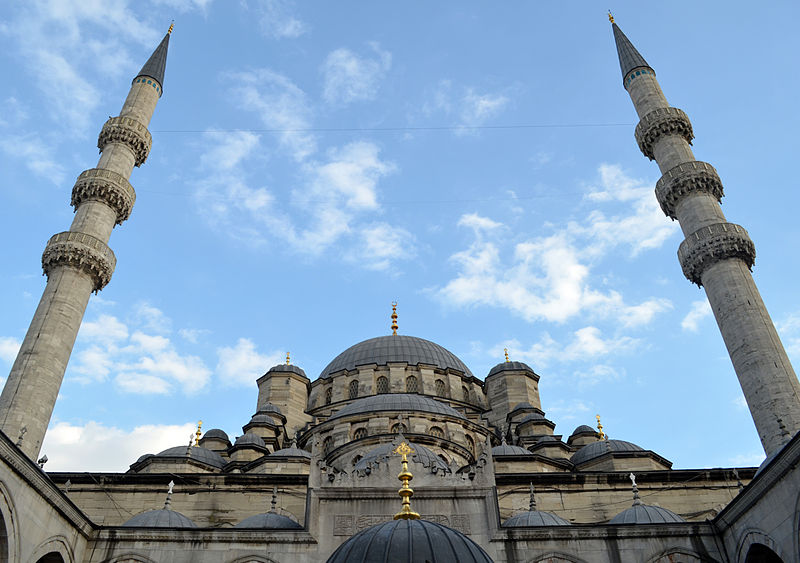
x=395 y=348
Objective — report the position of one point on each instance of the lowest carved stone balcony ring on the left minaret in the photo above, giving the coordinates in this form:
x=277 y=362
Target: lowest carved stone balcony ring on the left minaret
x=83 y=252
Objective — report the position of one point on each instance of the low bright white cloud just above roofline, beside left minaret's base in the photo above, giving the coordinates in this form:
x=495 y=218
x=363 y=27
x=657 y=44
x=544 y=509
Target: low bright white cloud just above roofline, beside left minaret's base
x=96 y=447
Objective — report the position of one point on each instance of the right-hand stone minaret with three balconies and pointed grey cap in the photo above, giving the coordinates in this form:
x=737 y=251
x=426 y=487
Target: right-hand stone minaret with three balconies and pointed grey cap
x=715 y=254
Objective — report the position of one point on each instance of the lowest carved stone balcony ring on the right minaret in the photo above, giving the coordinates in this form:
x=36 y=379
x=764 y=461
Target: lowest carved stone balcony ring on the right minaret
x=711 y=244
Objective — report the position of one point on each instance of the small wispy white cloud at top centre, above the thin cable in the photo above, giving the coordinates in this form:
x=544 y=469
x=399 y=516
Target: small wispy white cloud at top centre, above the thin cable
x=349 y=77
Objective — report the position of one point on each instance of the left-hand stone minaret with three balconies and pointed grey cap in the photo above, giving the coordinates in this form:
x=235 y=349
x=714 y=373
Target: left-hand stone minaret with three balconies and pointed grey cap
x=78 y=262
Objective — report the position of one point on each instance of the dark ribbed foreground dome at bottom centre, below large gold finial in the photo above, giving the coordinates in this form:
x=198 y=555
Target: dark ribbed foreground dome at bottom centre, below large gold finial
x=409 y=540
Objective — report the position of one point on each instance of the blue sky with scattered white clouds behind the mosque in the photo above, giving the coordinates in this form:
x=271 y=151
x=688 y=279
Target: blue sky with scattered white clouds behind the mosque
x=312 y=162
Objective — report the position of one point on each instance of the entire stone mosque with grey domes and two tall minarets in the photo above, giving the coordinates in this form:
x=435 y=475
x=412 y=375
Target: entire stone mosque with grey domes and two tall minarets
x=314 y=475
